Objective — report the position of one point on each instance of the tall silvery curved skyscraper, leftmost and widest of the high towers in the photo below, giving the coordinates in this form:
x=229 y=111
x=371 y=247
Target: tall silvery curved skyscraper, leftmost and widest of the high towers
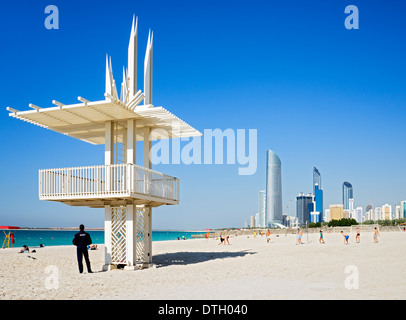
x=273 y=209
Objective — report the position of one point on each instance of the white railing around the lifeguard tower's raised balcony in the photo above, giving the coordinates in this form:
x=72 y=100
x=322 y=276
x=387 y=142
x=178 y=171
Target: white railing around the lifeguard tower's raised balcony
x=108 y=181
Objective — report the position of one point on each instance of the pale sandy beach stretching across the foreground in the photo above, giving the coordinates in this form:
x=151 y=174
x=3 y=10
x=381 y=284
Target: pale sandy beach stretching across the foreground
x=248 y=268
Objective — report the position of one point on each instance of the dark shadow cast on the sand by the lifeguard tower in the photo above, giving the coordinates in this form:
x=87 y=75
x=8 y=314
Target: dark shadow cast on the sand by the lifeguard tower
x=185 y=258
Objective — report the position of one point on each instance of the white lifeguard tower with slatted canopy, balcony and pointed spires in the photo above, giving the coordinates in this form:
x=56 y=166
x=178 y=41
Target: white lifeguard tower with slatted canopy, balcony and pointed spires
x=126 y=190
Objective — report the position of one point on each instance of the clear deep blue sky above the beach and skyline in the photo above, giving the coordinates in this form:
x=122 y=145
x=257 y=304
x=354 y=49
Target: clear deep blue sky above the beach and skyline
x=318 y=94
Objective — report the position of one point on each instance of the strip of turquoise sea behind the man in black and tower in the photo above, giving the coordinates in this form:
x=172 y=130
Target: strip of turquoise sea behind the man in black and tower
x=33 y=238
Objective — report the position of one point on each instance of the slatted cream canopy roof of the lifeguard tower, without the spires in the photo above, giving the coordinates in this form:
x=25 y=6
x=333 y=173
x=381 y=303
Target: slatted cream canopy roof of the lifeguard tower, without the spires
x=86 y=120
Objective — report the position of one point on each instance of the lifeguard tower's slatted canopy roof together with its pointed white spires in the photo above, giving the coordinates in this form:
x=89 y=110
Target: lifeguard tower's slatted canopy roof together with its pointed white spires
x=86 y=120
